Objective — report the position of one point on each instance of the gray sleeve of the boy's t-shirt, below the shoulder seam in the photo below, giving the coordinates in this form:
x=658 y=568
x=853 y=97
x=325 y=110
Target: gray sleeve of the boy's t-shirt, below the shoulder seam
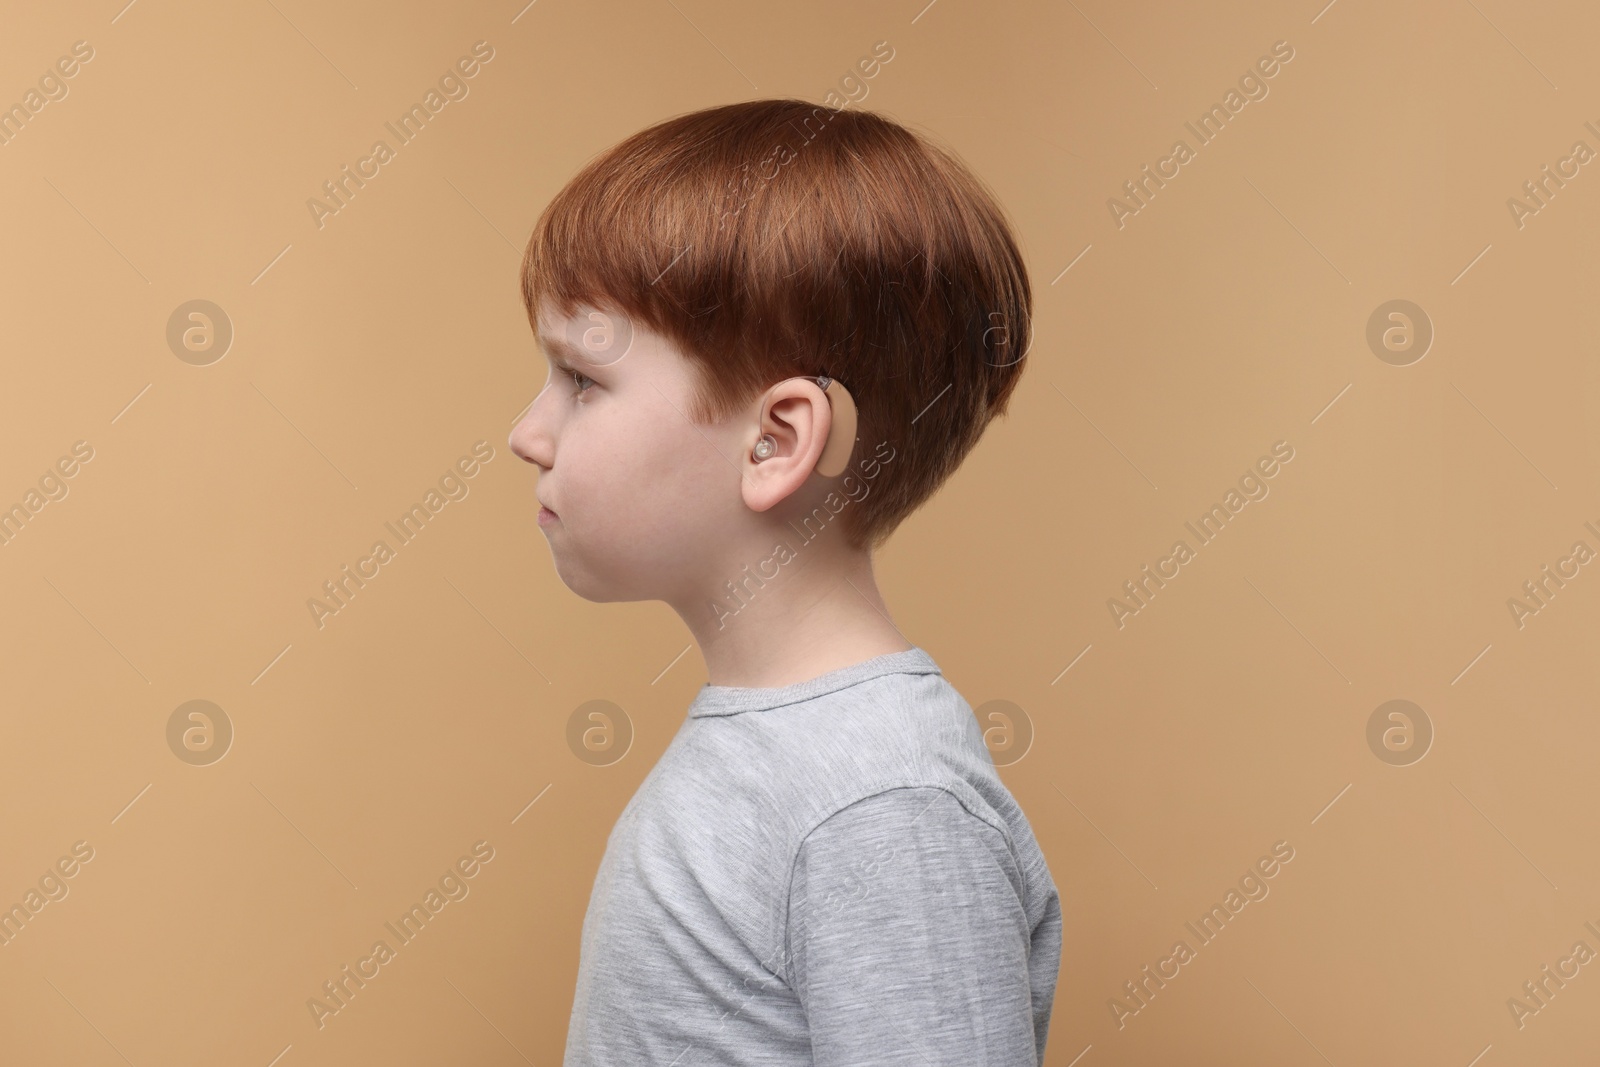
x=908 y=938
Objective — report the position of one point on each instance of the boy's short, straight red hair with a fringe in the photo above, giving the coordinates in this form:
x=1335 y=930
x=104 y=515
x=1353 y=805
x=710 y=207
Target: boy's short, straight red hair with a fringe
x=772 y=239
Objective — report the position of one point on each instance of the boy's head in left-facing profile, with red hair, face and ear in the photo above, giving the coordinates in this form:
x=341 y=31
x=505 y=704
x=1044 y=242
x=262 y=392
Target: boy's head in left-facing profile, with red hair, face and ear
x=698 y=273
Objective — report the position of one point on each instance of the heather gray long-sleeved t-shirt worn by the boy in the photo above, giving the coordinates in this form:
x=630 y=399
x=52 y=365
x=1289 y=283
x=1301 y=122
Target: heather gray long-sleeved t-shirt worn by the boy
x=828 y=873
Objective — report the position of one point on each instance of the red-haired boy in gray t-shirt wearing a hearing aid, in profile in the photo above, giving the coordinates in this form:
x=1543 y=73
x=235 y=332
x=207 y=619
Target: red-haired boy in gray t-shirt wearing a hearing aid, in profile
x=775 y=330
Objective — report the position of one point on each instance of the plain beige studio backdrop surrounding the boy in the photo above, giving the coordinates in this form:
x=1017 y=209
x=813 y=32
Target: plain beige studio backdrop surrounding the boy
x=370 y=354
